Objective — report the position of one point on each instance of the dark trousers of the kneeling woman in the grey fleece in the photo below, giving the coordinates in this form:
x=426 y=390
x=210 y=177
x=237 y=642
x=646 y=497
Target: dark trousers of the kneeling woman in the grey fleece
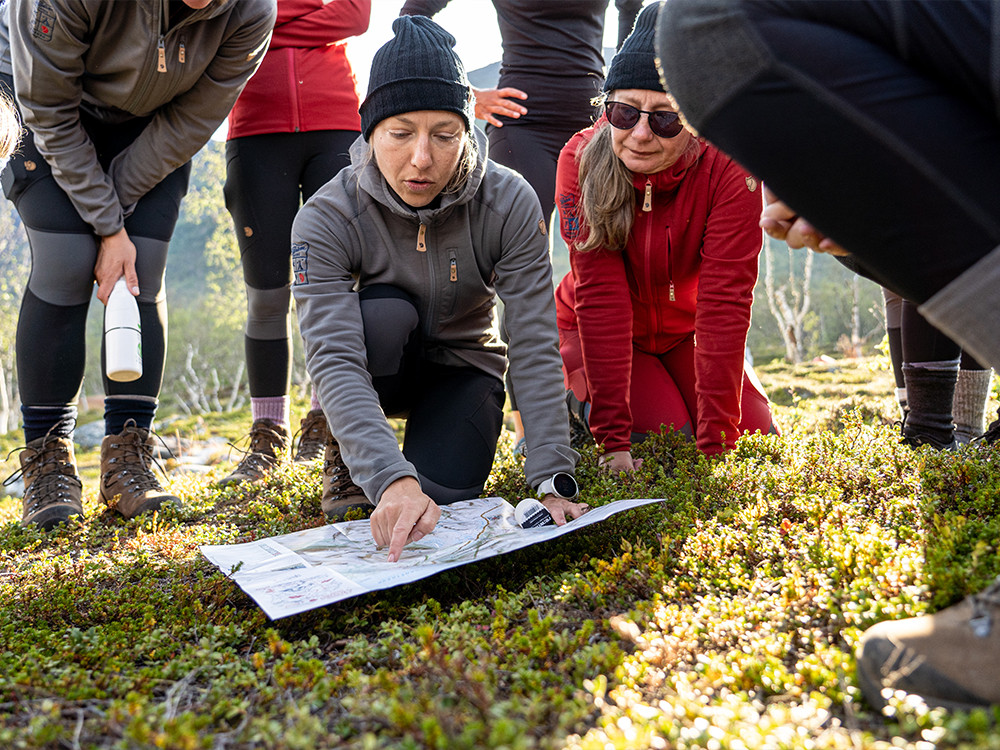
x=453 y=414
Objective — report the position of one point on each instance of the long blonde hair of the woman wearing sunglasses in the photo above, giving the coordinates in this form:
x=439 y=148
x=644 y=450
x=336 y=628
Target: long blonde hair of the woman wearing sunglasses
x=607 y=196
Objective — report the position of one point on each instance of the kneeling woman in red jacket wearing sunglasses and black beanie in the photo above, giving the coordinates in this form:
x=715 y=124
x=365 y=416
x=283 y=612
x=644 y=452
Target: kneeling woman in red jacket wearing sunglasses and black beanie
x=663 y=237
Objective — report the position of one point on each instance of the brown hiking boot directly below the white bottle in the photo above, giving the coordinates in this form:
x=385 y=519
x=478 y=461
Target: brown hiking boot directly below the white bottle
x=128 y=484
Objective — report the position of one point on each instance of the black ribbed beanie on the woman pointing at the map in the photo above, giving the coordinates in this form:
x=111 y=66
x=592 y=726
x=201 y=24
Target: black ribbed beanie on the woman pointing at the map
x=415 y=70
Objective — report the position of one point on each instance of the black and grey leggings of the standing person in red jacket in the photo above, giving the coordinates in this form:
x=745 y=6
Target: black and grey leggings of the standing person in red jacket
x=267 y=177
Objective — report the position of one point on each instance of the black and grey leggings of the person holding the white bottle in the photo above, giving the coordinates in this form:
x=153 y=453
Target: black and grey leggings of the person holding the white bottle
x=51 y=327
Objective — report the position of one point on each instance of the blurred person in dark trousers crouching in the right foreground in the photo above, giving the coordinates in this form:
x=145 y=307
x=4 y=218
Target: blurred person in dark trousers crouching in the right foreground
x=876 y=123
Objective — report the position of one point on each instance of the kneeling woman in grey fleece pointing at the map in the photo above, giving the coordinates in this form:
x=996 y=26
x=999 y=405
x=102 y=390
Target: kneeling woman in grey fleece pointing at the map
x=397 y=265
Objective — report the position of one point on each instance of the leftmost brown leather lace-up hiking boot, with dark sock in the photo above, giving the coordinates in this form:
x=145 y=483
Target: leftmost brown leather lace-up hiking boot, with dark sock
x=52 y=487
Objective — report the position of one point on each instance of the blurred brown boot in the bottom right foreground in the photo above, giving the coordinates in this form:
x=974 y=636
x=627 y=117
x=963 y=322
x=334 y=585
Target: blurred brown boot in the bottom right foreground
x=950 y=659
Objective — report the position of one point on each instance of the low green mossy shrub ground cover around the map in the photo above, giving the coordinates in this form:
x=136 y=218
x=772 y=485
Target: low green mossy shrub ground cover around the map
x=725 y=617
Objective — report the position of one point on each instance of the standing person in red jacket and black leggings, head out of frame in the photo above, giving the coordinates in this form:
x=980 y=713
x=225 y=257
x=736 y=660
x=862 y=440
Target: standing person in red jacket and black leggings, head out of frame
x=289 y=134
